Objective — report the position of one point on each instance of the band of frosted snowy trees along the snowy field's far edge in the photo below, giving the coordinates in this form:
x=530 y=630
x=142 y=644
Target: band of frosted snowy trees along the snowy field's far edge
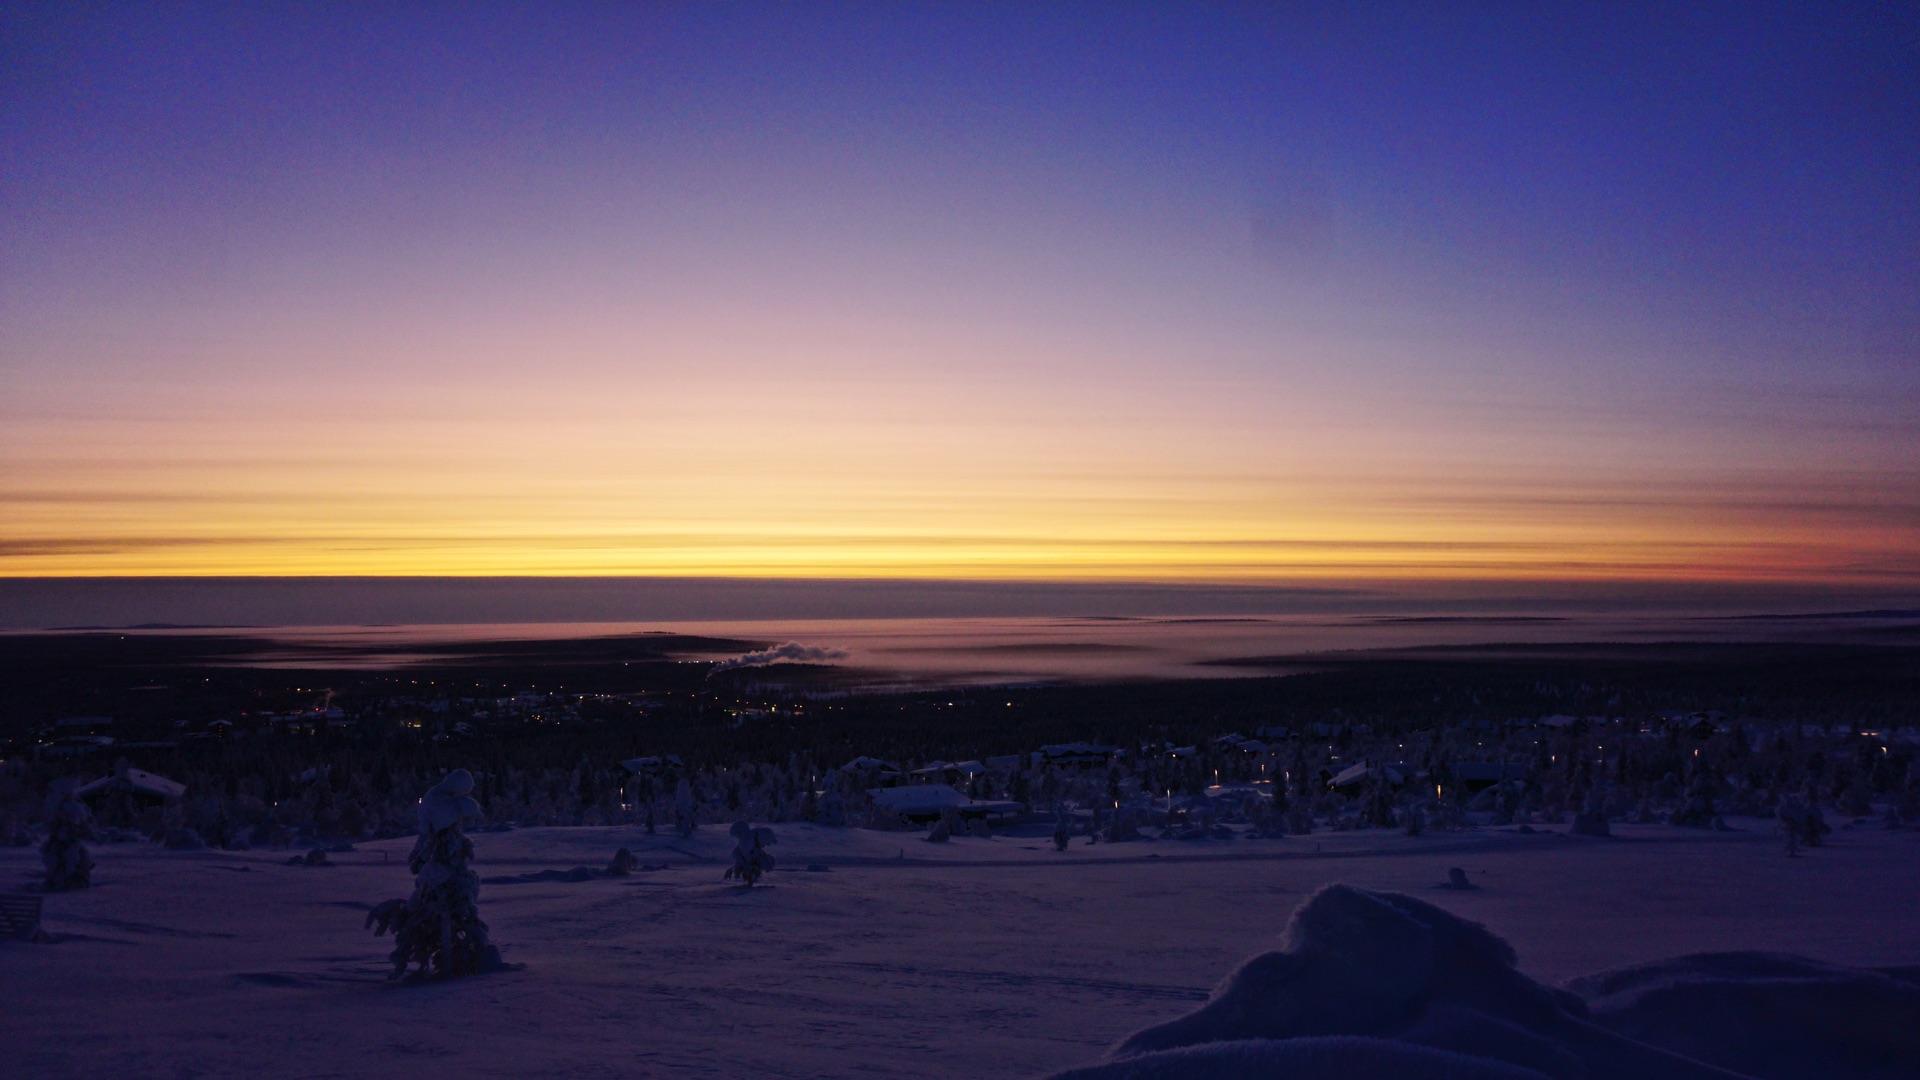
x=1596 y=772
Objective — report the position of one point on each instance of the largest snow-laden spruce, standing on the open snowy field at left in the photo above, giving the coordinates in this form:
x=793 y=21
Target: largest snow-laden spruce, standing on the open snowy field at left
x=439 y=927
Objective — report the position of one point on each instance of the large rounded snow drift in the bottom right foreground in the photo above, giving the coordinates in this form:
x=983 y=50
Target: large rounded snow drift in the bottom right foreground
x=1383 y=985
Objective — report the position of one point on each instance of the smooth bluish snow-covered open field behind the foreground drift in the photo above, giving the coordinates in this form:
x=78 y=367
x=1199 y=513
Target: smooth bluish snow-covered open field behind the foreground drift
x=871 y=954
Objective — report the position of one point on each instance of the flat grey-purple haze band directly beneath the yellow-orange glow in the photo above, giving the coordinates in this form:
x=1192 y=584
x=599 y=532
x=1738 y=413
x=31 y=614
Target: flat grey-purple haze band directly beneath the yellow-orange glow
x=45 y=602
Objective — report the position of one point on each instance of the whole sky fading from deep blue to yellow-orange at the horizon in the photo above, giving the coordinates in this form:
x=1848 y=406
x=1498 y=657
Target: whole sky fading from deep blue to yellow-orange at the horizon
x=1051 y=293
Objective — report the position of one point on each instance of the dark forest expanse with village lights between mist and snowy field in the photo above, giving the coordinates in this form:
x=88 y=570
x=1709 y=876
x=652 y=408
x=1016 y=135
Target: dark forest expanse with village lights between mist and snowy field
x=767 y=743
